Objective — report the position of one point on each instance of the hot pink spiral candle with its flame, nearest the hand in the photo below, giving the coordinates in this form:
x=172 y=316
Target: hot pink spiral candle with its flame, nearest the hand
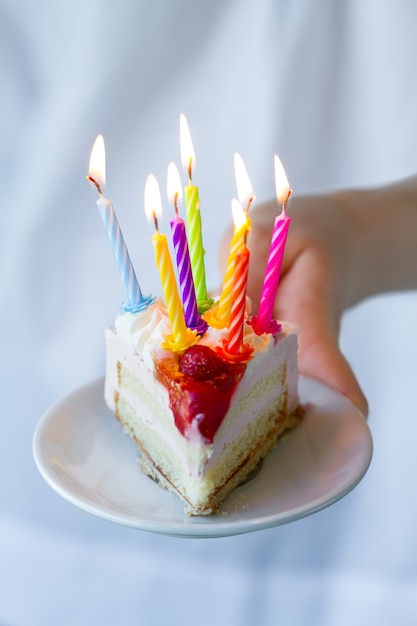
x=264 y=322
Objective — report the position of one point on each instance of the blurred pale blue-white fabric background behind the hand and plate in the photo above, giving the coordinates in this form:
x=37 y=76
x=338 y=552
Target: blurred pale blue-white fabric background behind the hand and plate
x=332 y=88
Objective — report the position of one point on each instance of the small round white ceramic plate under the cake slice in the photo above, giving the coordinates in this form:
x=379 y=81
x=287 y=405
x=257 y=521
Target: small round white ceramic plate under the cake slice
x=82 y=453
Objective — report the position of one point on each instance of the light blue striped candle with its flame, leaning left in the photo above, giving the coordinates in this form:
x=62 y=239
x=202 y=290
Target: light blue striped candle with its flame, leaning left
x=97 y=175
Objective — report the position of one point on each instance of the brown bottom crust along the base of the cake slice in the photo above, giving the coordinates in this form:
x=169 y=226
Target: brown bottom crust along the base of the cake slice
x=281 y=424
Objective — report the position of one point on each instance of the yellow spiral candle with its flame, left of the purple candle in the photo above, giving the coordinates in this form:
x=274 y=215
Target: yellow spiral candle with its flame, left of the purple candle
x=181 y=337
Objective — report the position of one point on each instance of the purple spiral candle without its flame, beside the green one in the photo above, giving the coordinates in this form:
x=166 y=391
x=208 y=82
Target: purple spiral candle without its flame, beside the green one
x=185 y=276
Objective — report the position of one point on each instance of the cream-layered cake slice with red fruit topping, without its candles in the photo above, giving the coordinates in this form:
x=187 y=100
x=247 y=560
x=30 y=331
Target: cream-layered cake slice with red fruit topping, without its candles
x=201 y=422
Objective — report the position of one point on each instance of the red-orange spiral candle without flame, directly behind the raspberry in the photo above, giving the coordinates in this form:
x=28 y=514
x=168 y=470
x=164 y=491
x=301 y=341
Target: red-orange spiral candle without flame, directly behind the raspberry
x=234 y=349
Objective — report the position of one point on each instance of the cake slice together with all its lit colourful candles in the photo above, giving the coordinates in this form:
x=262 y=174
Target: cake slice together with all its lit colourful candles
x=204 y=395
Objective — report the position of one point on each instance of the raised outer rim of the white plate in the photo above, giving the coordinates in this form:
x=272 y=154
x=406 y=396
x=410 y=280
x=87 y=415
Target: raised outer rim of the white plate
x=205 y=527
